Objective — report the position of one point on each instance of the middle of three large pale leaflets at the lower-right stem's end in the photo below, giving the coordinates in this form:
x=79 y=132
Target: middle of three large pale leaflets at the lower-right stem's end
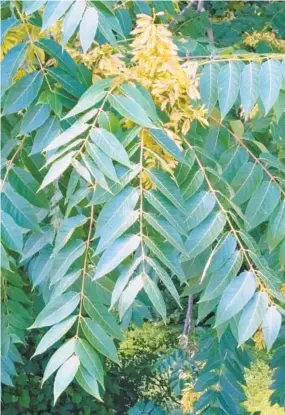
x=252 y=316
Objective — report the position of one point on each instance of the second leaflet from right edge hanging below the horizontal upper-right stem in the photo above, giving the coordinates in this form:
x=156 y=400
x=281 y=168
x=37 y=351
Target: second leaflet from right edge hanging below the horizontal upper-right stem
x=249 y=86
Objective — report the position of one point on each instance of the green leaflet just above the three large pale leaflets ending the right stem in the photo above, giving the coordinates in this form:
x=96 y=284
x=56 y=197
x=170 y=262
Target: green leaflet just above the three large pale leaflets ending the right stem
x=219 y=280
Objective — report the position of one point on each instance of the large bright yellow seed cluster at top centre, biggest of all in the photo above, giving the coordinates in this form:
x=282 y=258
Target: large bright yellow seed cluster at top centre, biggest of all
x=158 y=68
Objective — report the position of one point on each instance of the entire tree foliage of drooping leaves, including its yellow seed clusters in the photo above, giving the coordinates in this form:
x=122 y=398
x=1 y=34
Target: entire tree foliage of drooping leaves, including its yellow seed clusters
x=117 y=183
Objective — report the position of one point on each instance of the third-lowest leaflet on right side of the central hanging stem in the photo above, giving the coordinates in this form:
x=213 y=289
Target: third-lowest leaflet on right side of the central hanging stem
x=166 y=255
